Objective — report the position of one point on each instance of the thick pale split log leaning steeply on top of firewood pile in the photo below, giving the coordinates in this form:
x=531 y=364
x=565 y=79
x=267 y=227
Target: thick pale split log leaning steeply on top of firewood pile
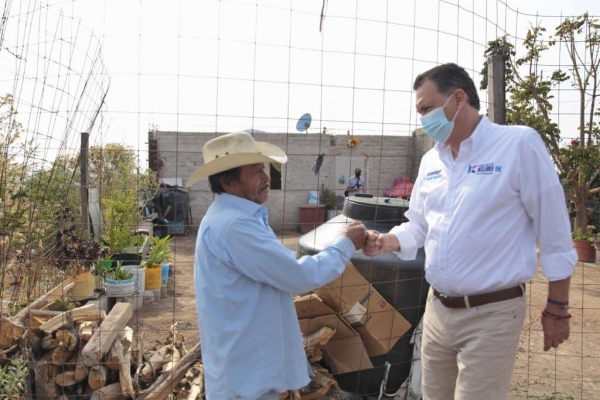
x=103 y=338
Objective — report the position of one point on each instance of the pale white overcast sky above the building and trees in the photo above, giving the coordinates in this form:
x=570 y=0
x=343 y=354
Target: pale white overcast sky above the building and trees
x=123 y=67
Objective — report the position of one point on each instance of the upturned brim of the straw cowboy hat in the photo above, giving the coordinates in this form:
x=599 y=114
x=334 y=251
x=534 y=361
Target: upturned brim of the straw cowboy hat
x=267 y=153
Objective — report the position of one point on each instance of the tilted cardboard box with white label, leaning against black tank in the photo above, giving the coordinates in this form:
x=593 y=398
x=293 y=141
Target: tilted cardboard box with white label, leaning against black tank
x=378 y=323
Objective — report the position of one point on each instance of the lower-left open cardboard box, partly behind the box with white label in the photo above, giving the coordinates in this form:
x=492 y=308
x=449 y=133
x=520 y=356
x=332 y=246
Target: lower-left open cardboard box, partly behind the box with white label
x=345 y=352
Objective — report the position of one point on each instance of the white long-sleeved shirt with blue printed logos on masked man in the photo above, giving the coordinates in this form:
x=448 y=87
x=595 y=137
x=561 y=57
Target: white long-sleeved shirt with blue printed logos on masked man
x=479 y=216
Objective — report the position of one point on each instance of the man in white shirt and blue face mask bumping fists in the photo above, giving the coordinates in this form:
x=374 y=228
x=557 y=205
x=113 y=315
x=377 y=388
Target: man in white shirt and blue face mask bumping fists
x=483 y=197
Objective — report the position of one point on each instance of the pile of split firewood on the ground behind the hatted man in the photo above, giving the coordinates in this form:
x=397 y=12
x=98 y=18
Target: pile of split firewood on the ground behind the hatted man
x=86 y=353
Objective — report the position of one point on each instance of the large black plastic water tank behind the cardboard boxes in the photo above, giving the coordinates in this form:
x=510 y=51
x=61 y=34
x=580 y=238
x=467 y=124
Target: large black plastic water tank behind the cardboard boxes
x=400 y=282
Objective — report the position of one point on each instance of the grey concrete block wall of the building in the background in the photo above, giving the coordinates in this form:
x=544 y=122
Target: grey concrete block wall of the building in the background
x=382 y=158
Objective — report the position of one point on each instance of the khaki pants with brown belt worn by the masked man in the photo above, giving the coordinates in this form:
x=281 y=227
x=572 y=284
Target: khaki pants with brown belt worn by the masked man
x=469 y=353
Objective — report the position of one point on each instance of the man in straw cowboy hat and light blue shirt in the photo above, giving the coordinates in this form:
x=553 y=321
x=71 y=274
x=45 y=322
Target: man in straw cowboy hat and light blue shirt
x=245 y=277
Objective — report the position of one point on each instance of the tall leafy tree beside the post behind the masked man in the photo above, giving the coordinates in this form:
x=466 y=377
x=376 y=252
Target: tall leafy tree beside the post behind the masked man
x=531 y=98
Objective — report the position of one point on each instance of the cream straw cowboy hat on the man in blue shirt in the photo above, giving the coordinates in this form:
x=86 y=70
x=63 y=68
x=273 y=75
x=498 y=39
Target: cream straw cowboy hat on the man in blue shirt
x=234 y=150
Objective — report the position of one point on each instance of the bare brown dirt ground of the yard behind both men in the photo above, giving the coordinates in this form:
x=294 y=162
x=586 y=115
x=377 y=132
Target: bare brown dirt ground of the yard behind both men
x=571 y=372
